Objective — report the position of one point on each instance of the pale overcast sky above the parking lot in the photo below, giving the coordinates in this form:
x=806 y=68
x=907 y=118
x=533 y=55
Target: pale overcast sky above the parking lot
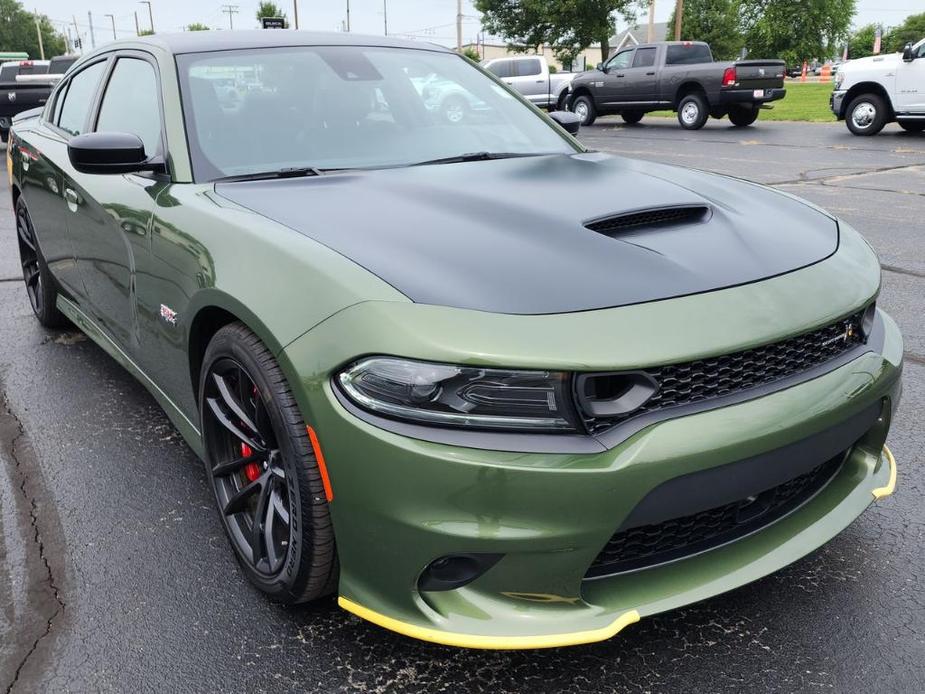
x=428 y=20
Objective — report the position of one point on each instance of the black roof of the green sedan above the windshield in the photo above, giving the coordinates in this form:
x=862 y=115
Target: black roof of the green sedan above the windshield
x=214 y=40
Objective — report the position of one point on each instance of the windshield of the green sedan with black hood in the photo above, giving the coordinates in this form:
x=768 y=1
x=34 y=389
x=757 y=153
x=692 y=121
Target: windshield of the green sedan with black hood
x=337 y=107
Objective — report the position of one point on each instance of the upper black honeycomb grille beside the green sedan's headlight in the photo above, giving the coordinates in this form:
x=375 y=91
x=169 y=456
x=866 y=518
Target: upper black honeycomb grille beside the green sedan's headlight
x=706 y=379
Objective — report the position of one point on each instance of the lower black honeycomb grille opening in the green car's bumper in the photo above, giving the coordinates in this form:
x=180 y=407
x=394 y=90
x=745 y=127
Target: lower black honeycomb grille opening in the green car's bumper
x=637 y=548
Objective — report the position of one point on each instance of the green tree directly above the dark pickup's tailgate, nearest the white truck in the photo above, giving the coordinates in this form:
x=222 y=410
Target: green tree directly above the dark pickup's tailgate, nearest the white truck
x=796 y=30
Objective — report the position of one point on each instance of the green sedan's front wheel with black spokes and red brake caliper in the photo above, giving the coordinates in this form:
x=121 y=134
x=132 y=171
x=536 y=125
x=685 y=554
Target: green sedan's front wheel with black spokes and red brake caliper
x=292 y=558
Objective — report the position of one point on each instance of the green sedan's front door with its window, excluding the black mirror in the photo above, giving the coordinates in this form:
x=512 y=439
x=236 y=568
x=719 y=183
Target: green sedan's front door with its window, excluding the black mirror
x=110 y=214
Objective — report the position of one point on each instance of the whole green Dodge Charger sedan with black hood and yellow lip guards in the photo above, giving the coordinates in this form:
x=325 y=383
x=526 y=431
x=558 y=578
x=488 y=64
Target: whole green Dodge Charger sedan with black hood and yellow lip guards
x=490 y=388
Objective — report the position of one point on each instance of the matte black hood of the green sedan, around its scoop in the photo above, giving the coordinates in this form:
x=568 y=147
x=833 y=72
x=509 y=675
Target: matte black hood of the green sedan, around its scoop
x=509 y=235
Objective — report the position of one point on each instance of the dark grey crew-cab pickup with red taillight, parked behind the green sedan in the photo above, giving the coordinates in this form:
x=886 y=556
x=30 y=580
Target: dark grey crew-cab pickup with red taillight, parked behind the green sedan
x=677 y=75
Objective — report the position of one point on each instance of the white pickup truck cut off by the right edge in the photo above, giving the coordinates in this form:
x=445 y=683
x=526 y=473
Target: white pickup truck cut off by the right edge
x=871 y=92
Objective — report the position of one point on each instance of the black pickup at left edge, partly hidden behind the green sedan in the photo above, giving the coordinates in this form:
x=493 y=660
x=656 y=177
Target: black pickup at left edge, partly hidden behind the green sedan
x=27 y=84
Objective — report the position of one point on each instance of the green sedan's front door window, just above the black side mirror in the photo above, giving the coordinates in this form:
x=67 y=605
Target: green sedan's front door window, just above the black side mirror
x=130 y=103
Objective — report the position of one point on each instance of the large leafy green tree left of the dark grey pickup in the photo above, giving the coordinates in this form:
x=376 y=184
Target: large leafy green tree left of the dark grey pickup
x=568 y=26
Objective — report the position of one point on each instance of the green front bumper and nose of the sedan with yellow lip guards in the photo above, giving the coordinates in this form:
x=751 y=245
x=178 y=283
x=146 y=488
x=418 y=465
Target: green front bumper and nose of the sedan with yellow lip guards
x=401 y=502
